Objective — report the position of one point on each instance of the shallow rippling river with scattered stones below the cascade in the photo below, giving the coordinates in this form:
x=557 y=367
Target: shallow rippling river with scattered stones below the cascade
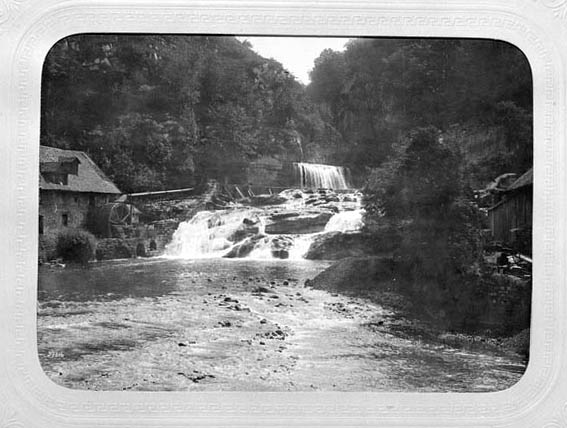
x=241 y=325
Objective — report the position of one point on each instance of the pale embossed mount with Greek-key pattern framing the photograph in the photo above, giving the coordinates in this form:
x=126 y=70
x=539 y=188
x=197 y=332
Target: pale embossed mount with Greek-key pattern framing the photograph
x=28 y=28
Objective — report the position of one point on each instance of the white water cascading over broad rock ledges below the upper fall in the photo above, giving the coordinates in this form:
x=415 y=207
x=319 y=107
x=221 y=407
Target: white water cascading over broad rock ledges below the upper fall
x=243 y=233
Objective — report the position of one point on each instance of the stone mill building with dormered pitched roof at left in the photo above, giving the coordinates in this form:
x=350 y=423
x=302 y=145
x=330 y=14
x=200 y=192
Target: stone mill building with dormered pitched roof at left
x=71 y=187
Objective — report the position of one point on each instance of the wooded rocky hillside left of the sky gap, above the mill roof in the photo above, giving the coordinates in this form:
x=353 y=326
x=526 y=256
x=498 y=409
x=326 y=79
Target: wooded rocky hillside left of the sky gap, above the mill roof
x=159 y=112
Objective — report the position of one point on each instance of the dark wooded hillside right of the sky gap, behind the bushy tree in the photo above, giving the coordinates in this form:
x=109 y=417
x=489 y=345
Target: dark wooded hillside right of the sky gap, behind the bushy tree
x=478 y=92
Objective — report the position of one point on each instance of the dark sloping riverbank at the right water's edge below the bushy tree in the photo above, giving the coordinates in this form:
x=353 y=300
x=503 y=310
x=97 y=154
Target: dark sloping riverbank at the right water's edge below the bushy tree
x=384 y=281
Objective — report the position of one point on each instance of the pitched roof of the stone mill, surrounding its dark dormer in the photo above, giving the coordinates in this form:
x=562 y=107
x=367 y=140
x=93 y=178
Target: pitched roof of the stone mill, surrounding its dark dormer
x=88 y=179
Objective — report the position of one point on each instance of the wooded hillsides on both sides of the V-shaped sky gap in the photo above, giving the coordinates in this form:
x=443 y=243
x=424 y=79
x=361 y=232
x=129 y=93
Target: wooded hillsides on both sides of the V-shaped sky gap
x=169 y=111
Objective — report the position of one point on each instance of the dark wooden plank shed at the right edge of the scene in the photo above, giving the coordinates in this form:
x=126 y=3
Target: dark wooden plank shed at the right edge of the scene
x=511 y=217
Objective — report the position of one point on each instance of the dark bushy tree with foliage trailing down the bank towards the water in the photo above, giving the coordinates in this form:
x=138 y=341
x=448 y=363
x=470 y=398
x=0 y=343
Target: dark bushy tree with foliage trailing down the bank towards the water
x=440 y=256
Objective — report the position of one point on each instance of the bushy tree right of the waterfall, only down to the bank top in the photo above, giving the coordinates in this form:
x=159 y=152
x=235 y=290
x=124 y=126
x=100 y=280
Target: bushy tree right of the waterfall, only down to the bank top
x=423 y=190
